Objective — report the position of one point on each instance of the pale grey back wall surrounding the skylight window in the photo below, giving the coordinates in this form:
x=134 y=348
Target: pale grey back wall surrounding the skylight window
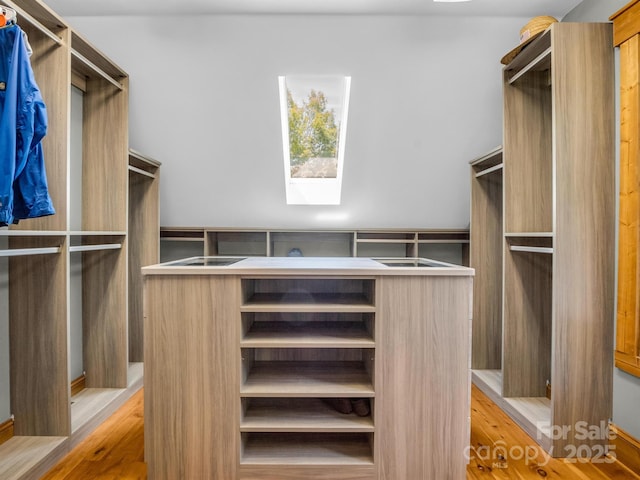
x=425 y=99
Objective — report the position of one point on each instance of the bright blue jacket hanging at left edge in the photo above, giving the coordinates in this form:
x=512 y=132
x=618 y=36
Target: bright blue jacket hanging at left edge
x=23 y=123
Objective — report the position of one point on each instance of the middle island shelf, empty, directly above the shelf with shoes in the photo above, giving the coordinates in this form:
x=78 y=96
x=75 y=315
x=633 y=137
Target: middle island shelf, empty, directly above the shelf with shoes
x=307 y=379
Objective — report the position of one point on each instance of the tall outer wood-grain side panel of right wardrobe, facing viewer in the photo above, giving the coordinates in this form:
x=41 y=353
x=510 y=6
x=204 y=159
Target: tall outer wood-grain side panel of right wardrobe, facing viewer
x=584 y=244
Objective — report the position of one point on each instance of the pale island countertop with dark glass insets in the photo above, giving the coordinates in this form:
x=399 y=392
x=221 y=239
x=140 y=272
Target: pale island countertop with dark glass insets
x=307 y=266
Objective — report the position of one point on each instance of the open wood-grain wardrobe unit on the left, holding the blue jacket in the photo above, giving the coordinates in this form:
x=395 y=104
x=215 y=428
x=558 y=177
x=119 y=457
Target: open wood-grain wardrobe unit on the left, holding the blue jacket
x=64 y=283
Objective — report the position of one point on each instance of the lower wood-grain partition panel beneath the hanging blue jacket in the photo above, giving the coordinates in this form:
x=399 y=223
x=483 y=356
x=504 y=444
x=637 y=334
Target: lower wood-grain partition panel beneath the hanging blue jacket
x=38 y=338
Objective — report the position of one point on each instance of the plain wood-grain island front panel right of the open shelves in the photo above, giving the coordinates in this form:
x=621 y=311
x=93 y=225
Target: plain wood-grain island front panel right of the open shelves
x=423 y=387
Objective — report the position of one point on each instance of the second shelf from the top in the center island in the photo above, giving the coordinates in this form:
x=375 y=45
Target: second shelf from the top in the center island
x=308 y=335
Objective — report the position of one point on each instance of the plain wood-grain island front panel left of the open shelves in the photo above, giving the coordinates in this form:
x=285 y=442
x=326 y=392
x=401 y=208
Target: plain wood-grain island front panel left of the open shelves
x=191 y=377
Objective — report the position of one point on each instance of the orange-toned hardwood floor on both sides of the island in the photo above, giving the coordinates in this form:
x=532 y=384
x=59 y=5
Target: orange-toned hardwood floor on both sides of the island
x=500 y=450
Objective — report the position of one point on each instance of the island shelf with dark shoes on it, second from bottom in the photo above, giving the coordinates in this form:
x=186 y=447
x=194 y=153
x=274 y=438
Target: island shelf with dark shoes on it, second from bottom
x=300 y=415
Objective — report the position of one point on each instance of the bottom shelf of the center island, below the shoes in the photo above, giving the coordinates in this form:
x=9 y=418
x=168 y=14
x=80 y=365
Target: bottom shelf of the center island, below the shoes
x=299 y=449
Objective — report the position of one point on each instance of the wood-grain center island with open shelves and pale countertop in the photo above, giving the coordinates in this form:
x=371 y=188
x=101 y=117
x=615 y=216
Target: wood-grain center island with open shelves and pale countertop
x=252 y=365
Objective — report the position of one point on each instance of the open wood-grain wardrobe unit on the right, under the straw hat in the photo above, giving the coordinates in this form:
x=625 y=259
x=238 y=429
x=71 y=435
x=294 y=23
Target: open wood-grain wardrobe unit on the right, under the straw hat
x=542 y=243
